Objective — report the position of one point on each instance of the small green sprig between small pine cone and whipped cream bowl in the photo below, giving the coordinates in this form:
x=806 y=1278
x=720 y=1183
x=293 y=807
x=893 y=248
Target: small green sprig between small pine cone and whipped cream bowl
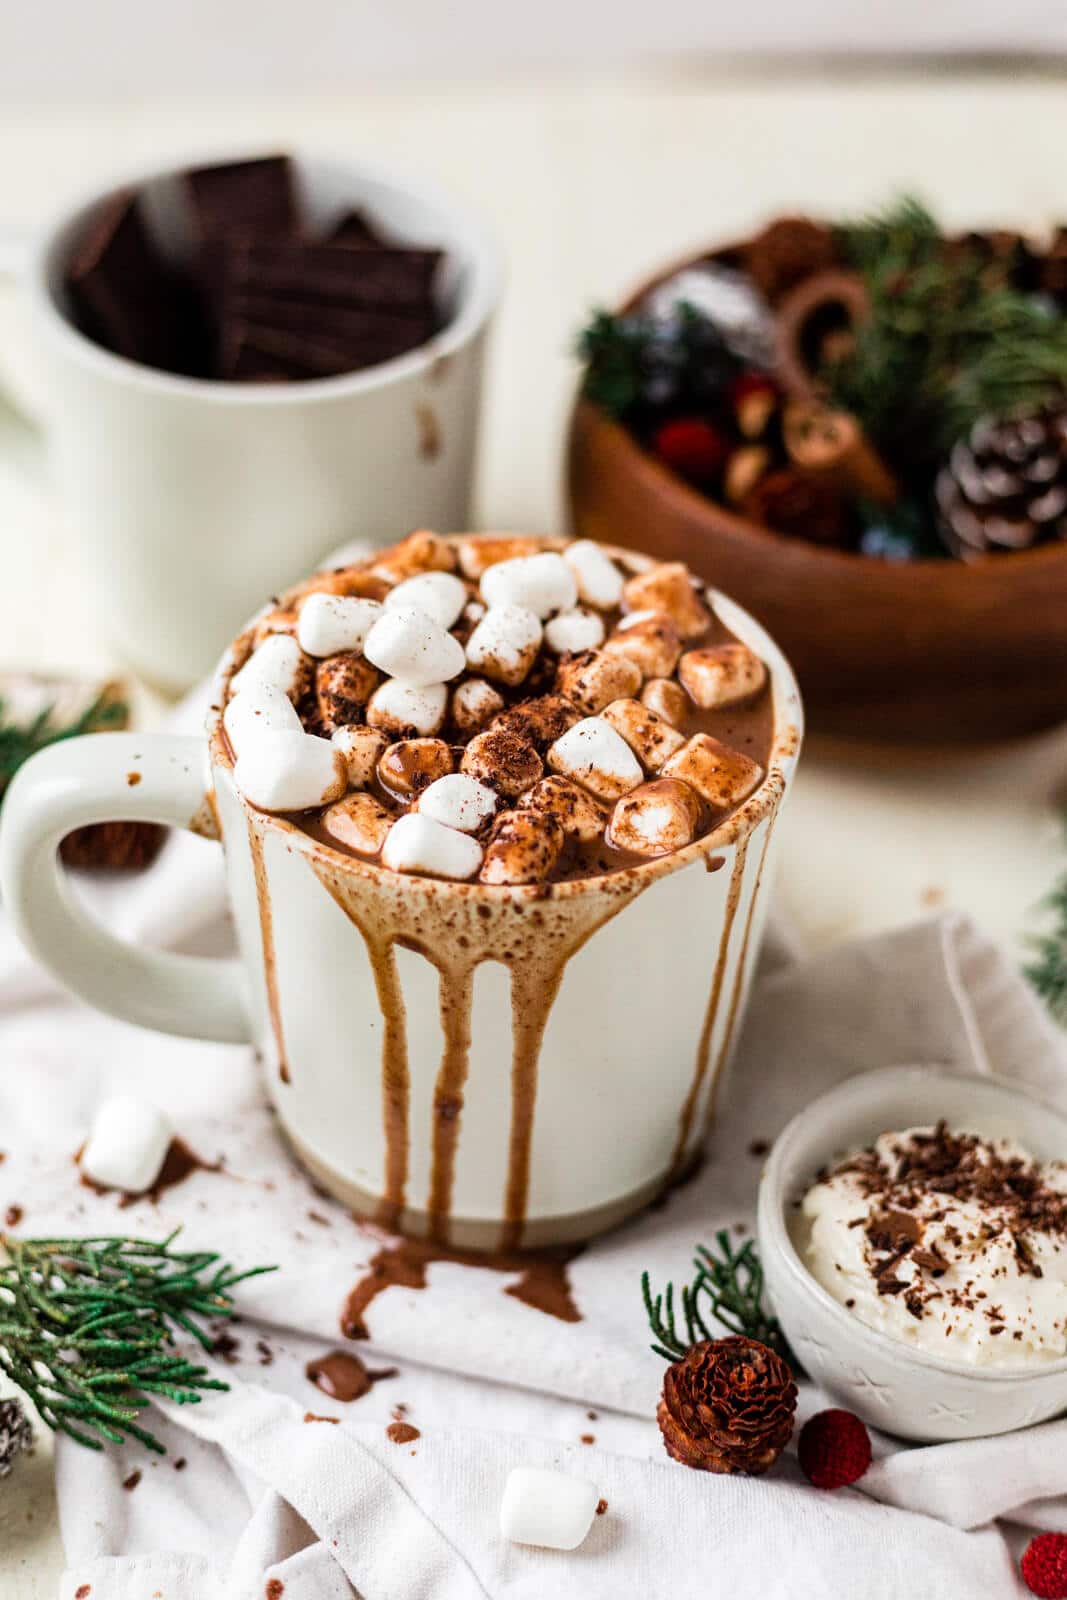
x=729 y=1290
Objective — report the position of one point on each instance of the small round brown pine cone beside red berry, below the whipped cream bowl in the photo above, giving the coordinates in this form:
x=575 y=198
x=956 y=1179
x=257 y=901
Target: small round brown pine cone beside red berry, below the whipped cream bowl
x=729 y=1407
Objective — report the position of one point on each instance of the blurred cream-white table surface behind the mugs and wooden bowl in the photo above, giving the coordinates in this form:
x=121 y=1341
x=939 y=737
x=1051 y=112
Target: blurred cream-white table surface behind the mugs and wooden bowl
x=589 y=183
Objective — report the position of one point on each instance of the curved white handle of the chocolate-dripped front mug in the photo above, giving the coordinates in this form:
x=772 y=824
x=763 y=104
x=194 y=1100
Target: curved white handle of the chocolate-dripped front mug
x=106 y=778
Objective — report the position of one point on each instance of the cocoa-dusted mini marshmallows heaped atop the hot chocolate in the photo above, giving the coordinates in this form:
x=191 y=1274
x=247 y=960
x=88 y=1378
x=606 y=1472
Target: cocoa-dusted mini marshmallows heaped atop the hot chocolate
x=468 y=708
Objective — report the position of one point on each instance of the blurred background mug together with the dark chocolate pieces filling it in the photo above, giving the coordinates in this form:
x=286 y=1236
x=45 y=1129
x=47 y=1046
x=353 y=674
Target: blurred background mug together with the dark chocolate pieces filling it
x=239 y=369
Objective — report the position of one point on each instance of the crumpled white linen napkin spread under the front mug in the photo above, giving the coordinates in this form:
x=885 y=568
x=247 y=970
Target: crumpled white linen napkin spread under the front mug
x=490 y=1382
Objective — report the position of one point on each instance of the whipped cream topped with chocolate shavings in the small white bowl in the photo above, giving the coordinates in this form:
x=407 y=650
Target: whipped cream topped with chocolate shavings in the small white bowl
x=948 y=1242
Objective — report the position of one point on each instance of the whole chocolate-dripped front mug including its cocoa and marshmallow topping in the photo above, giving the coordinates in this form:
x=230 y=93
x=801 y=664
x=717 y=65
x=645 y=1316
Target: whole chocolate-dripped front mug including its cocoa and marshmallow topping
x=498 y=903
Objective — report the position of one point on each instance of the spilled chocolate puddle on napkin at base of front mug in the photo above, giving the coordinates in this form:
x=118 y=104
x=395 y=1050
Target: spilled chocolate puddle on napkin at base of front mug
x=541 y=1281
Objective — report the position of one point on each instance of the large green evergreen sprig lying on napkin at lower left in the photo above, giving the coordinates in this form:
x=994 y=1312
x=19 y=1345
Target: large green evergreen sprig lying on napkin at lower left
x=87 y=1329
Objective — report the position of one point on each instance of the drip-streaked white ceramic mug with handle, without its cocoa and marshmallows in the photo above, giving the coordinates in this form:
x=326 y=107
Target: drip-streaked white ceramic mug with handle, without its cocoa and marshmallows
x=494 y=1068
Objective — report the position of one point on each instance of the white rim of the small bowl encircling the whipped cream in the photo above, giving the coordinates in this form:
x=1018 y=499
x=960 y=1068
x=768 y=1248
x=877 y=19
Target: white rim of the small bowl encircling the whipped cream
x=775 y=1236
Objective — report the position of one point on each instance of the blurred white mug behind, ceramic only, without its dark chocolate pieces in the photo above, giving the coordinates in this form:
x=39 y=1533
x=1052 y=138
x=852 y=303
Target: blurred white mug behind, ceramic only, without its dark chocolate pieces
x=194 y=498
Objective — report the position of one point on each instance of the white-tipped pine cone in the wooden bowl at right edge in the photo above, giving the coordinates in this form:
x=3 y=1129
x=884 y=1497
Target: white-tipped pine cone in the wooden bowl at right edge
x=1005 y=487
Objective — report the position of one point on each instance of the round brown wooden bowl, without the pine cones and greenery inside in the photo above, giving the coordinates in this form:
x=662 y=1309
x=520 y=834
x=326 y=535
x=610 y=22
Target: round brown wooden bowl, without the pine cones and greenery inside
x=897 y=652
